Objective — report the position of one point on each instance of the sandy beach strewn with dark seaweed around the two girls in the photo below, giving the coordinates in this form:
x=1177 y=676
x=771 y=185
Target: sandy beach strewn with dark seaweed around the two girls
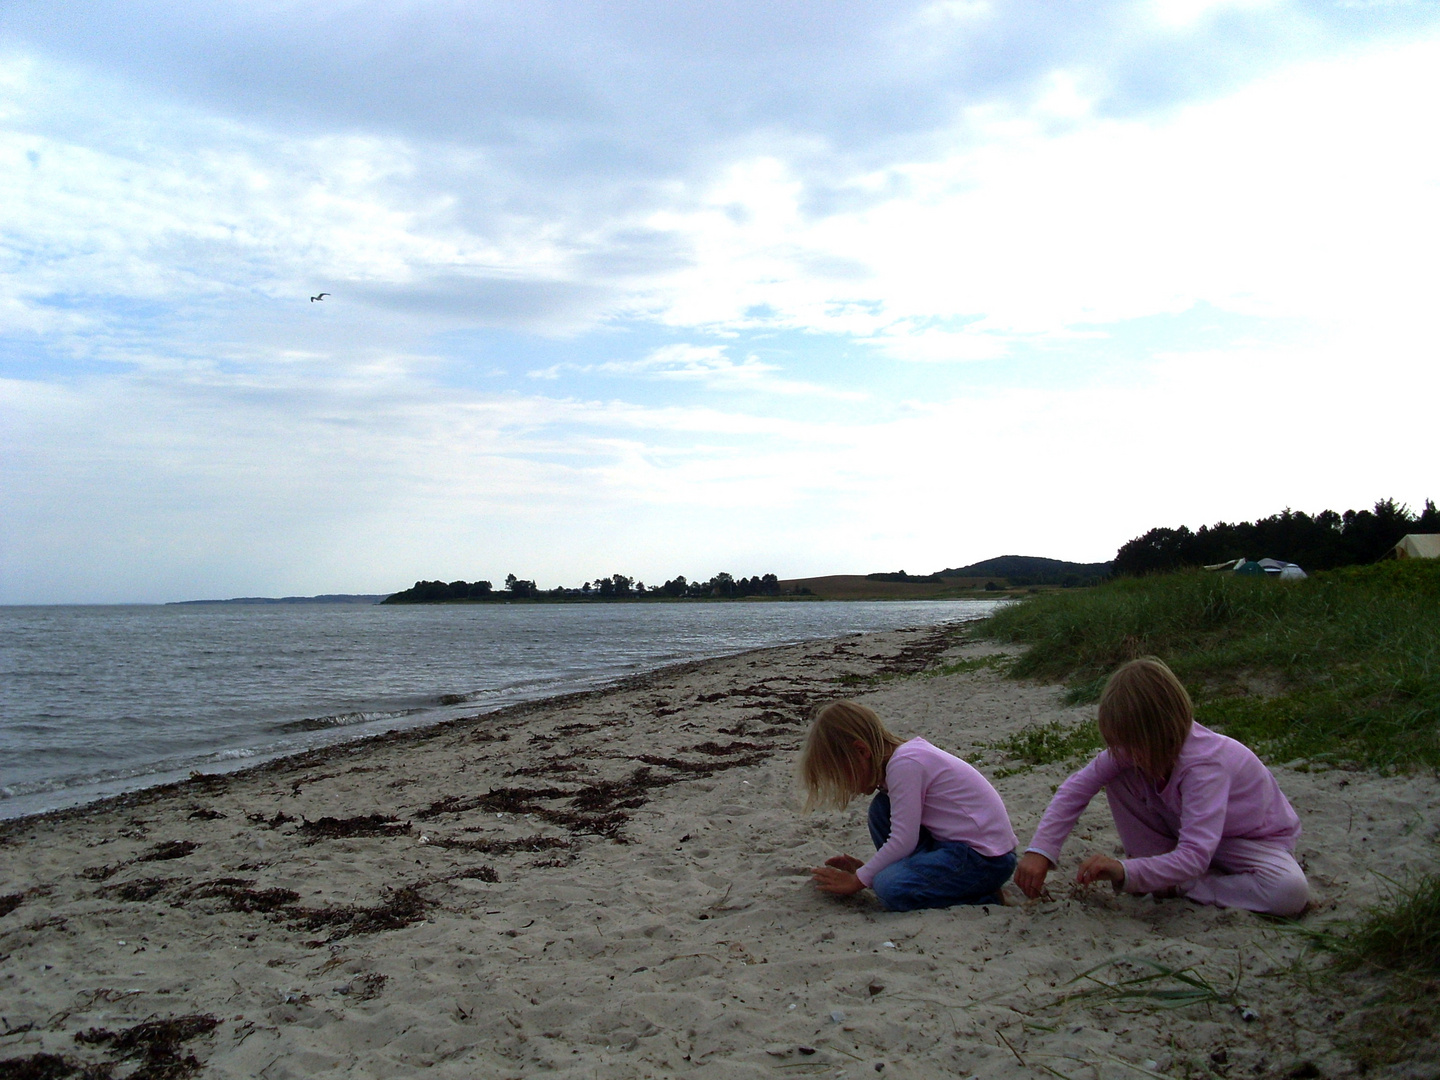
x=614 y=885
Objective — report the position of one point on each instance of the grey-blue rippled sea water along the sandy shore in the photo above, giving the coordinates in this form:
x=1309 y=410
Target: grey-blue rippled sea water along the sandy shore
x=102 y=701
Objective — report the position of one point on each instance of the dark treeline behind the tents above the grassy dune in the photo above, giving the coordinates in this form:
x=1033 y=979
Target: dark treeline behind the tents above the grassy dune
x=1323 y=542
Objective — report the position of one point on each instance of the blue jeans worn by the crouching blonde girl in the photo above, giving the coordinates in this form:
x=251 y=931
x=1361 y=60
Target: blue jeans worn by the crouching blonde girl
x=938 y=873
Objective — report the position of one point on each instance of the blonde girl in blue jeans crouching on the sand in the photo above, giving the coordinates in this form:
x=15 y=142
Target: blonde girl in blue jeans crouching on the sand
x=941 y=829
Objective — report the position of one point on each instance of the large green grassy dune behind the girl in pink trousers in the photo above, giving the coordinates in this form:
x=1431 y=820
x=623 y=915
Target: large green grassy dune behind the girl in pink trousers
x=1341 y=667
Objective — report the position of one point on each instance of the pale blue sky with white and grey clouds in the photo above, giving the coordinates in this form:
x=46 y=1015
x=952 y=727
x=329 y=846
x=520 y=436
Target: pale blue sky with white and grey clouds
x=660 y=289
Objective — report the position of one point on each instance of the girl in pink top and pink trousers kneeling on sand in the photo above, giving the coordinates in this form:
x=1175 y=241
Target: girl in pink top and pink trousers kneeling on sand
x=1199 y=814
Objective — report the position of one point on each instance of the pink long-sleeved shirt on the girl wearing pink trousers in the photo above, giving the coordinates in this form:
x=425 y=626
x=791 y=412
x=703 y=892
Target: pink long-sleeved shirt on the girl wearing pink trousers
x=1219 y=790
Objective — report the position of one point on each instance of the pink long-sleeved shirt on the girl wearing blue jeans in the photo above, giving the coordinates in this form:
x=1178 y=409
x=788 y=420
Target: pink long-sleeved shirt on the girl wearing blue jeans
x=932 y=788
